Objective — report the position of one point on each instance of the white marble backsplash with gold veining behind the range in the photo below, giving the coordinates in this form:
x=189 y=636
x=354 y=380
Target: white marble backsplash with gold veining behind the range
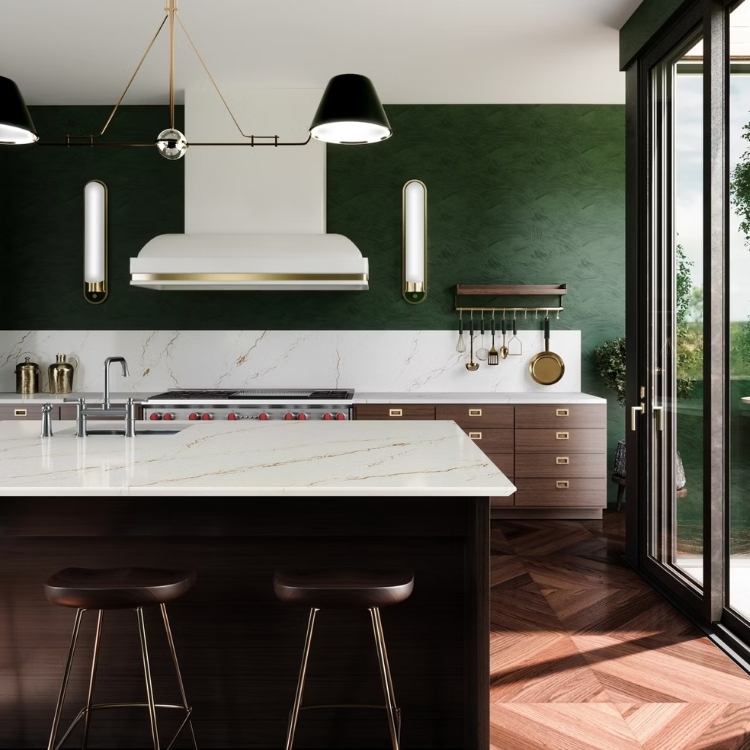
x=379 y=361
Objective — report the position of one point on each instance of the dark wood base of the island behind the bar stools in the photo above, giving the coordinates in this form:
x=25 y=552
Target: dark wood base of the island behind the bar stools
x=239 y=647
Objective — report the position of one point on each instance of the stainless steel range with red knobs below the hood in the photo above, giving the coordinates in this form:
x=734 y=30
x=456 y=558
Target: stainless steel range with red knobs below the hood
x=262 y=404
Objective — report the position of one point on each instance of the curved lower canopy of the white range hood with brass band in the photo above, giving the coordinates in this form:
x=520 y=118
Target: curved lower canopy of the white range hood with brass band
x=280 y=262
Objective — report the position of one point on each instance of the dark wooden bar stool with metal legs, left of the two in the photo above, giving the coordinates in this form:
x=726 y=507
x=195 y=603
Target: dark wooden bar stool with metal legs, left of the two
x=110 y=589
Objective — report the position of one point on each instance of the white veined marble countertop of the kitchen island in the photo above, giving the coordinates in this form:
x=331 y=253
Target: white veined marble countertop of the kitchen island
x=401 y=459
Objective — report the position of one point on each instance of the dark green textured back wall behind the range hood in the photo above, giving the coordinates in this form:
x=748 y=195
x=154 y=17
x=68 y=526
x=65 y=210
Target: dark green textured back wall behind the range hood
x=516 y=194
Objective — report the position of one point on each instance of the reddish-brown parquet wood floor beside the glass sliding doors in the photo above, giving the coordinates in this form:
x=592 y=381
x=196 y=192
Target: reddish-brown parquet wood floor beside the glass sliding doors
x=584 y=655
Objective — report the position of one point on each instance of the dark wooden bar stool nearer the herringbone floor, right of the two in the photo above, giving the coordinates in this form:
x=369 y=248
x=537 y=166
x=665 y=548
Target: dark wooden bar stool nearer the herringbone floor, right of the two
x=346 y=589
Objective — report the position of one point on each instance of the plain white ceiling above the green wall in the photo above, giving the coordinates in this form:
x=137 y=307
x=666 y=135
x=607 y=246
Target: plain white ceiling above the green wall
x=416 y=51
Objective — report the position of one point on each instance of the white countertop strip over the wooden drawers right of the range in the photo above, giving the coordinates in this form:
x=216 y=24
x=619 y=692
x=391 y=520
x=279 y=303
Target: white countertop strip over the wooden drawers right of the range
x=556 y=397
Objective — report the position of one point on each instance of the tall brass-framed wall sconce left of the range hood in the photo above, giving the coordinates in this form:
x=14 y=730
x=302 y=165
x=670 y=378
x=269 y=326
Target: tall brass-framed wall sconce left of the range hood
x=95 y=242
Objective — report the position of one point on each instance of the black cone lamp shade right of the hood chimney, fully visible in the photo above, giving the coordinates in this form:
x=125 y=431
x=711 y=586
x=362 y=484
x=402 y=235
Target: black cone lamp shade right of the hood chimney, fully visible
x=350 y=112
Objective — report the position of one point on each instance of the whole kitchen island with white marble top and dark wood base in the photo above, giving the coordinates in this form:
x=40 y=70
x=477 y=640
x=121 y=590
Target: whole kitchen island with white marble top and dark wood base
x=284 y=494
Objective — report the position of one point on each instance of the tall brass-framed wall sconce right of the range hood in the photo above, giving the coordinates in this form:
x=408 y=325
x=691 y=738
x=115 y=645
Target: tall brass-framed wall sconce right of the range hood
x=415 y=242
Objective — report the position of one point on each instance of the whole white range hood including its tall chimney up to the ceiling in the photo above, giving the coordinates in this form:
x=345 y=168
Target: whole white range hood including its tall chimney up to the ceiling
x=255 y=218
